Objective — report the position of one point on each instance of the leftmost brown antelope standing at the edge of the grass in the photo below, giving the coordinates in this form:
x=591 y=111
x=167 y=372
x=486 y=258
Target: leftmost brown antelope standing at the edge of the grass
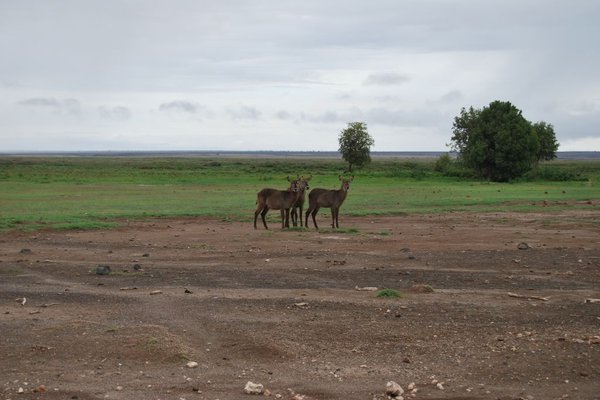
x=275 y=199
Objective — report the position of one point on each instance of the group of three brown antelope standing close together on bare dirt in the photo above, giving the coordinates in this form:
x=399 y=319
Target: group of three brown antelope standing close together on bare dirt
x=291 y=202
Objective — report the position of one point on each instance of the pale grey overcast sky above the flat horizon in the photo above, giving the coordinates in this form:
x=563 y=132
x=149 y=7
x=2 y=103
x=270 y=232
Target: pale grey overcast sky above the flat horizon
x=289 y=75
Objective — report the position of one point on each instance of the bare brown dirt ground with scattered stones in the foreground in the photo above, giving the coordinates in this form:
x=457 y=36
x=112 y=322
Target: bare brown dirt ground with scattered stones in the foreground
x=293 y=309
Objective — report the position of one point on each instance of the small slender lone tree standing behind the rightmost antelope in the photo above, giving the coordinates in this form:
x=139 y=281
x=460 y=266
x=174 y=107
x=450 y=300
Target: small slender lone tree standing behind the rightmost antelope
x=355 y=144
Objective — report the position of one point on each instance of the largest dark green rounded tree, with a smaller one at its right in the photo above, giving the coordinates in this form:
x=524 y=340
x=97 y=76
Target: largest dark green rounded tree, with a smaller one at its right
x=497 y=142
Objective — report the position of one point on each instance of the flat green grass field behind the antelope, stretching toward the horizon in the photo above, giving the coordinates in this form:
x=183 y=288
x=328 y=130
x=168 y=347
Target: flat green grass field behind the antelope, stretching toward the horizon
x=99 y=192
